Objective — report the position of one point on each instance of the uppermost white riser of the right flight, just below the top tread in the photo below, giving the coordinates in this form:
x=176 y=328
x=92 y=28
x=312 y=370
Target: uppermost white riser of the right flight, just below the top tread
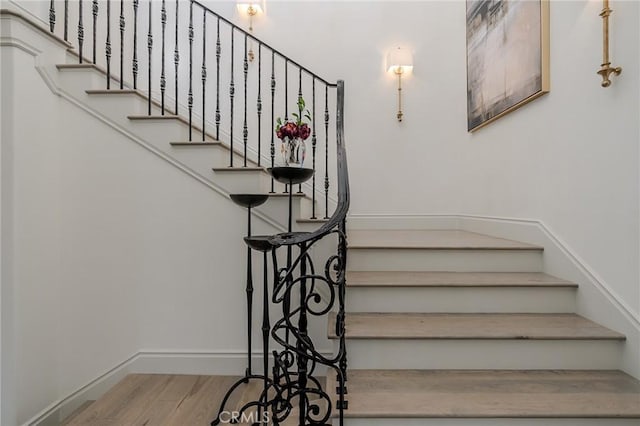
x=444 y=260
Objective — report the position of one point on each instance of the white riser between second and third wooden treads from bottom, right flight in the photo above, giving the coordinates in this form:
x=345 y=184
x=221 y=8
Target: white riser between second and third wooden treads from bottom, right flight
x=460 y=299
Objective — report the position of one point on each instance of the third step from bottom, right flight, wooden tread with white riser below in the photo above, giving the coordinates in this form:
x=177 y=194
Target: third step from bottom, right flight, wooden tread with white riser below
x=470 y=292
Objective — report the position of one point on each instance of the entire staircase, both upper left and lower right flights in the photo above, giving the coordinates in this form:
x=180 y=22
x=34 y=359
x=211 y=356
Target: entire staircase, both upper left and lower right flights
x=443 y=327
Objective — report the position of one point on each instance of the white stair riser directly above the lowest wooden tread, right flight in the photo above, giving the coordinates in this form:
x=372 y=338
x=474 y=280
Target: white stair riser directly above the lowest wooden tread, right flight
x=484 y=354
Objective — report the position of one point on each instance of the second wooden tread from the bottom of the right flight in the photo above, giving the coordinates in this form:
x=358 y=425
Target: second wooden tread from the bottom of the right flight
x=472 y=326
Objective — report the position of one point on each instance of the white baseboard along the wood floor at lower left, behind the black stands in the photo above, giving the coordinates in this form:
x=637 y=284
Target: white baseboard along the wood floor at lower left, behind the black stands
x=214 y=362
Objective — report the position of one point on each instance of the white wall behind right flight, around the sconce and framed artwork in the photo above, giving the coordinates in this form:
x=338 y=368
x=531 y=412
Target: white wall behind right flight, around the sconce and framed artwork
x=568 y=159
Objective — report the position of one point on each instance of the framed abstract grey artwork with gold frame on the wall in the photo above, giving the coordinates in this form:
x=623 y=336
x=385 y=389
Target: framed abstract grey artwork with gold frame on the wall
x=507 y=57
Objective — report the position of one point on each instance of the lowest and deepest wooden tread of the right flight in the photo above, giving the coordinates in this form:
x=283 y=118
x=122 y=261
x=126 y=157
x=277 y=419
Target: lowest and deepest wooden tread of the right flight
x=491 y=394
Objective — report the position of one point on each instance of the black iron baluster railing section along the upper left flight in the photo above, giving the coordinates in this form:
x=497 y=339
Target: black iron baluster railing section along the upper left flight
x=236 y=99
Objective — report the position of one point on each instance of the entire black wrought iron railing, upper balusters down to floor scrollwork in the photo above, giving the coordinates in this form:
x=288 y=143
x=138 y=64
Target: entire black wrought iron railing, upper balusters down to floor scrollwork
x=221 y=109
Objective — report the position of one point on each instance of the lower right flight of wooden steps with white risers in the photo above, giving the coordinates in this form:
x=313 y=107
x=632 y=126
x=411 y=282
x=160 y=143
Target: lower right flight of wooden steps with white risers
x=491 y=341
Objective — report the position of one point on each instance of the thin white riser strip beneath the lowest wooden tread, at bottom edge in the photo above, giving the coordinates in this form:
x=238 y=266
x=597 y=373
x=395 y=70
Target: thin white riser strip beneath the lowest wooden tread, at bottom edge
x=488 y=422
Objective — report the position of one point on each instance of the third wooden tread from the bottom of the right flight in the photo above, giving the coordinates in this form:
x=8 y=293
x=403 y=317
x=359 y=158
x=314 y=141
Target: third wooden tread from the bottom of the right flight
x=453 y=279
